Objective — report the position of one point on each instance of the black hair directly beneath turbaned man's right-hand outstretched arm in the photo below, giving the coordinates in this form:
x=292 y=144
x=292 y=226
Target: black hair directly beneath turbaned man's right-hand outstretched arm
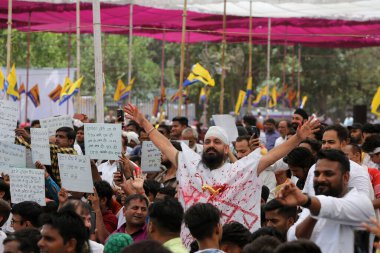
x=300 y=157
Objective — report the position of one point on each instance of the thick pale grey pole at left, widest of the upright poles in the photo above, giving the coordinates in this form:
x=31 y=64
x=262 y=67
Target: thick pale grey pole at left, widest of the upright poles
x=98 y=61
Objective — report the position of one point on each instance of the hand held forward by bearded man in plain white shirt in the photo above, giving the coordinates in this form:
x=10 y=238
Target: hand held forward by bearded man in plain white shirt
x=291 y=195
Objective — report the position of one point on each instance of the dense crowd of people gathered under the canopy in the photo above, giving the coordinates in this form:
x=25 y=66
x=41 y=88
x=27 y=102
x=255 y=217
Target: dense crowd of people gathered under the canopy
x=283 y=186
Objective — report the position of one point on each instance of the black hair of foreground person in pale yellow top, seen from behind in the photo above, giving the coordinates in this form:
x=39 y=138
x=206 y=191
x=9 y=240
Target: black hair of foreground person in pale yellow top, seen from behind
x=167 y=215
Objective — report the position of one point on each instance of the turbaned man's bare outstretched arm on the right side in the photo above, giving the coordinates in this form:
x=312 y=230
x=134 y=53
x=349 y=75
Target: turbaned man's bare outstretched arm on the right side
x=310 y=127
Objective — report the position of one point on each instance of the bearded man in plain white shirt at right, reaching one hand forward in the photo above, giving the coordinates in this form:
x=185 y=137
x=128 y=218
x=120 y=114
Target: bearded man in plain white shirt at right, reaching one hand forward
x=330 y=217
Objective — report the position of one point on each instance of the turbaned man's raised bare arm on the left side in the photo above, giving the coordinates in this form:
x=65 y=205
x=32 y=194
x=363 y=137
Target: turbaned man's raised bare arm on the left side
x=161 y=142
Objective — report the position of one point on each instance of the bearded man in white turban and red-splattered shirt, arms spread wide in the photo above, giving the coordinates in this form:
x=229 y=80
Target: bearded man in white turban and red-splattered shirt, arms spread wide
x=231 y=187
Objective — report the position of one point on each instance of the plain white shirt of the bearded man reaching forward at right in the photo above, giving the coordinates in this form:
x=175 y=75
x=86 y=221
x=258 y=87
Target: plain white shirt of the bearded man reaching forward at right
x=337 y=219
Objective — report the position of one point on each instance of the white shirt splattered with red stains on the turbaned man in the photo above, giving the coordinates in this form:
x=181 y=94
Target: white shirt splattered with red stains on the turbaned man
x=239 y=188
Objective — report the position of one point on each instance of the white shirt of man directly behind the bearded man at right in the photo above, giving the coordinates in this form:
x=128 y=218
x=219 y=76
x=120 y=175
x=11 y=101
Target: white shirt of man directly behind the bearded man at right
x=359 y=179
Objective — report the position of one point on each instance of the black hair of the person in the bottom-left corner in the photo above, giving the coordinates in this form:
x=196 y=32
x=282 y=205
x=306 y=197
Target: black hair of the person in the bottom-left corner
x=27 y=239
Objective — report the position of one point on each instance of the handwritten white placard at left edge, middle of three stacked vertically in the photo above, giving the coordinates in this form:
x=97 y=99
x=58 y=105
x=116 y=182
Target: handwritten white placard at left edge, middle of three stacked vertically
x=11 y=156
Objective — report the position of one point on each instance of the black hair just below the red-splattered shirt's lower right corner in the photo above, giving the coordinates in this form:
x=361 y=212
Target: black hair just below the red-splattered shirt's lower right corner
x=235 y=233
